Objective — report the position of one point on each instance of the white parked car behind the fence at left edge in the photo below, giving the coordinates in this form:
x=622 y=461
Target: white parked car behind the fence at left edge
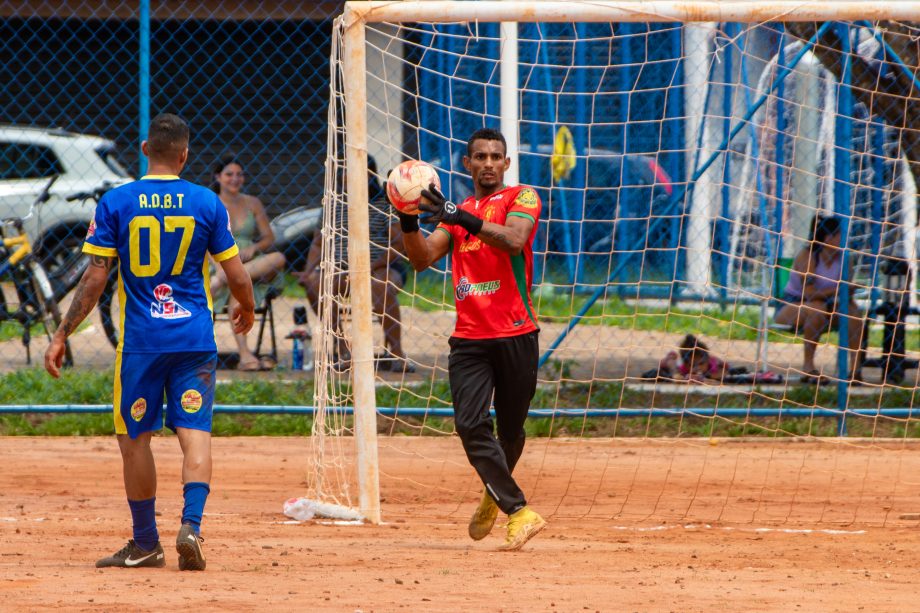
x=29 y=158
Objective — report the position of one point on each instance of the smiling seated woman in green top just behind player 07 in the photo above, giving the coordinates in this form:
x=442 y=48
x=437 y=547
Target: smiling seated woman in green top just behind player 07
x=255 y=238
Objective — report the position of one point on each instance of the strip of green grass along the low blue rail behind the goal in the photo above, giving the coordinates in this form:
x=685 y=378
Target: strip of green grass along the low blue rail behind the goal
x=33 y=386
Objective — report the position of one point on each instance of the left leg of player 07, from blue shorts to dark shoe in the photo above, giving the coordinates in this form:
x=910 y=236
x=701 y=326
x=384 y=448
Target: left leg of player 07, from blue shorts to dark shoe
x=138 y=402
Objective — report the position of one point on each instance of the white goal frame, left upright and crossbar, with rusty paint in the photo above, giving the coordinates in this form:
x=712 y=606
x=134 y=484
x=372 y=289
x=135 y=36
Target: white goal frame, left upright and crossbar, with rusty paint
x=354 y=70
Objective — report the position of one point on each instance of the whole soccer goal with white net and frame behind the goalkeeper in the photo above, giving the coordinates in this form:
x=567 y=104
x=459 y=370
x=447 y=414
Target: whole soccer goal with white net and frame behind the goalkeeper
x=681 y=167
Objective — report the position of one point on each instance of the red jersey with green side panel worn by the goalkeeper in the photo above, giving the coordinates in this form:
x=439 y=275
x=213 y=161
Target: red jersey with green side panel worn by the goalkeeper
x=491 y=286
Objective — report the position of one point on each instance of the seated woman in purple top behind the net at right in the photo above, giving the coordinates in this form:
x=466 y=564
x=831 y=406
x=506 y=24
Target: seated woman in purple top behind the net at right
x=809 y=302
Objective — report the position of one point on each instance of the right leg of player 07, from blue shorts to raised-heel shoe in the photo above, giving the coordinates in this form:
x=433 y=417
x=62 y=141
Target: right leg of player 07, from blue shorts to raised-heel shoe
x=189 y=406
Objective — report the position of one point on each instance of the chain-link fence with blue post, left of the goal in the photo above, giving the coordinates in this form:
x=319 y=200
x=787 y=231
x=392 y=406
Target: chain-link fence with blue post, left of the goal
x=251 y=79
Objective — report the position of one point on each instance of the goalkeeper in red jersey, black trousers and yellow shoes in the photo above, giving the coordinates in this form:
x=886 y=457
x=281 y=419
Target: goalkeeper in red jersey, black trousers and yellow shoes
x=493 y=350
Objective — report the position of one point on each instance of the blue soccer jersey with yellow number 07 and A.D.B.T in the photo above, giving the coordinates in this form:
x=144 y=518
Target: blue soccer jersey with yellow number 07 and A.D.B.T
x=161 y=228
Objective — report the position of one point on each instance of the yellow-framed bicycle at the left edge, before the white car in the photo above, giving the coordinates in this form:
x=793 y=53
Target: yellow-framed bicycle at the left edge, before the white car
x=19 y=265
